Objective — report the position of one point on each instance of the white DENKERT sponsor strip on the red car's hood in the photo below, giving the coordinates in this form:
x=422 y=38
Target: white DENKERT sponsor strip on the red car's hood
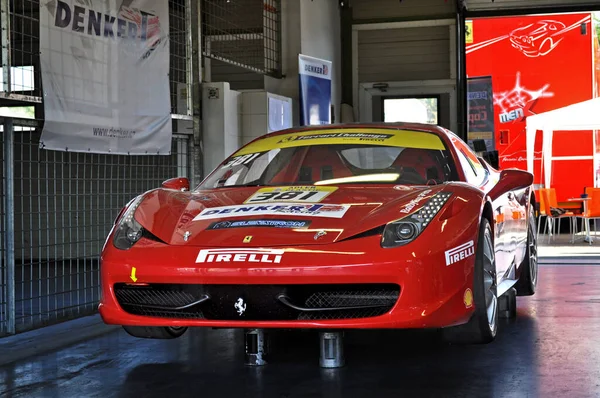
x=295 y=209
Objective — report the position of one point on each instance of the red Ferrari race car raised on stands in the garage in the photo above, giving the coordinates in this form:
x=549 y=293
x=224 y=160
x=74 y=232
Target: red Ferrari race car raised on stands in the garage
x=337 y=227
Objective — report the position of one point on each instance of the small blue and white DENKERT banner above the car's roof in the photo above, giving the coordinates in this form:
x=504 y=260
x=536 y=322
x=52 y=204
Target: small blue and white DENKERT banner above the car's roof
x=315 y=90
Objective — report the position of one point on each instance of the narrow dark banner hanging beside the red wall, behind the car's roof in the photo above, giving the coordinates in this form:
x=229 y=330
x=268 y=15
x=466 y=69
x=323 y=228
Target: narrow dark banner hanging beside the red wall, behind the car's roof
x=480 y=102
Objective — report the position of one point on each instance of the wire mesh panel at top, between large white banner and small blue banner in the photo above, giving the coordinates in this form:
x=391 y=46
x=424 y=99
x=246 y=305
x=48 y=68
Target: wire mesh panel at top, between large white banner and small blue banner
x=244 y=33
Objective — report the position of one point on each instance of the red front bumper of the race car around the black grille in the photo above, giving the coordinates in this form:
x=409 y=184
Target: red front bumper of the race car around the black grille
x=430 y=294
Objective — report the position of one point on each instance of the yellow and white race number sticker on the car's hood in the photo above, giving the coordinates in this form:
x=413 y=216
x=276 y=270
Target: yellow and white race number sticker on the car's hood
x=295 y=194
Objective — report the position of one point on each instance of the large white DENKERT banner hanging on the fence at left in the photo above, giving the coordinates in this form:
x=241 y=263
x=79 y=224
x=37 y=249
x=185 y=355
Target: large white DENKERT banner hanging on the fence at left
x=105 y=73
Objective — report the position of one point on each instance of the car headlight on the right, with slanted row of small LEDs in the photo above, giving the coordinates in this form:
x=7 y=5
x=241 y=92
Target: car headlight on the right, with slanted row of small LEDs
x=405 y=230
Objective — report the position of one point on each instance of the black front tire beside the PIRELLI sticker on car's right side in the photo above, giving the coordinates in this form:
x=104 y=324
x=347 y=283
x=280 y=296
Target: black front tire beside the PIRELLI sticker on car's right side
x=479 y=329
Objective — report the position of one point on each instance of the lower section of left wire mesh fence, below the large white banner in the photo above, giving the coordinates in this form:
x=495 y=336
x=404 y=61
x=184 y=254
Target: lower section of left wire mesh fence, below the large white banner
x=64 y=206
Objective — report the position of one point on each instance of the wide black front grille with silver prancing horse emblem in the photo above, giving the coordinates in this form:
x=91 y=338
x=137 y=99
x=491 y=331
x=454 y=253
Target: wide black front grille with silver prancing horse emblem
x=259 y=302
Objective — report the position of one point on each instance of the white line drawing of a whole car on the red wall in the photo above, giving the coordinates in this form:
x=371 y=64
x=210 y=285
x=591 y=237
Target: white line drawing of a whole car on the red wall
x=539 y=38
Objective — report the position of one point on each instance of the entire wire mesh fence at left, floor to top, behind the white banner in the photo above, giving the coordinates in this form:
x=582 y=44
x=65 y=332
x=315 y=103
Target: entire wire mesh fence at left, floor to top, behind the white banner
x=64 y=203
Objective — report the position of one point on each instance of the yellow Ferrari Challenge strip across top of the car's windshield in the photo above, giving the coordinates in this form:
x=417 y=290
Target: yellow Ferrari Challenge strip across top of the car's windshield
x=383 y=137
